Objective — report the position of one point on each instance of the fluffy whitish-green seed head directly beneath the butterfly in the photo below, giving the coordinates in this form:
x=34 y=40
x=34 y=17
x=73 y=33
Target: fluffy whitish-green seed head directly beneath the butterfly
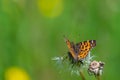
x=74 y=68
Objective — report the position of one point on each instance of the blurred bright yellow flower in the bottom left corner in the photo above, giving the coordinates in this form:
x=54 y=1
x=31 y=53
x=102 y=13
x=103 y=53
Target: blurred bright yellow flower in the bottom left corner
x=15 y=73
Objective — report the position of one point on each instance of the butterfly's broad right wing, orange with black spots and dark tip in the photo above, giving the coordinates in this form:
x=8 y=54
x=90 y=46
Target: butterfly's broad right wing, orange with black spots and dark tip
x=85 y=47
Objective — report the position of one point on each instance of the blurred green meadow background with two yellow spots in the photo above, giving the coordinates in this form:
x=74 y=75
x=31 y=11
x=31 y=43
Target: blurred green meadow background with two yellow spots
x=31 y=34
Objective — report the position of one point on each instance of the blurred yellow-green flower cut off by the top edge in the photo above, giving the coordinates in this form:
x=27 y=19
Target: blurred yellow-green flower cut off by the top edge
x=50 y=8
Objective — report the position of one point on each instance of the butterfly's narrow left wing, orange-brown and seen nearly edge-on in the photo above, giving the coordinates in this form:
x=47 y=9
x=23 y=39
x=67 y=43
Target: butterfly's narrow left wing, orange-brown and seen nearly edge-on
x=71 y=48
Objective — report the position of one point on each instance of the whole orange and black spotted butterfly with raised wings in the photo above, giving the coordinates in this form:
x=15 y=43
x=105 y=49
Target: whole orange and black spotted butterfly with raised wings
x=78 y=52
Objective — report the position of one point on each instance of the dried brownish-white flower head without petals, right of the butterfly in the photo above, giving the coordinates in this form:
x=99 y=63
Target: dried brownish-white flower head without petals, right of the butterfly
x=96 y=68
